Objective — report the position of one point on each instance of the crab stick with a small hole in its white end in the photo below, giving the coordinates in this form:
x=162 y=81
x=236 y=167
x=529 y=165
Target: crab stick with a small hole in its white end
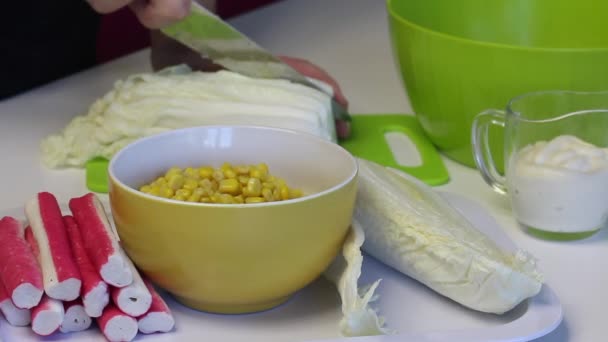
x=133 y=299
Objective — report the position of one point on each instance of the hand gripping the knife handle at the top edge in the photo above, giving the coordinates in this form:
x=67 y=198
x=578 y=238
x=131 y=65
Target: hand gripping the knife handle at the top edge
x=151 y=13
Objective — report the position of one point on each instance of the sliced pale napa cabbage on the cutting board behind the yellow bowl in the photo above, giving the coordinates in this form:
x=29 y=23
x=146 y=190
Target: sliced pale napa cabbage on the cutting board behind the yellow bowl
x=177 y=97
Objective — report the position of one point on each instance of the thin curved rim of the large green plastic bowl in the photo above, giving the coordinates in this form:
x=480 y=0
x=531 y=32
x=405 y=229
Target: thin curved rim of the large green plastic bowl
x=406 y=22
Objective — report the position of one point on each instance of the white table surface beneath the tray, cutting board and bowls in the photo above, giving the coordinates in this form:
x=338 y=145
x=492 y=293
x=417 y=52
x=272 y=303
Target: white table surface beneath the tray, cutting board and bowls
x=350 y=39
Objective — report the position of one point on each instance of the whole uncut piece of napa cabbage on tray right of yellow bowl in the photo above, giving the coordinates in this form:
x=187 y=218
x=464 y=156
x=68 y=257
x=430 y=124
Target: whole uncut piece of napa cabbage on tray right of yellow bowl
x=413 y=229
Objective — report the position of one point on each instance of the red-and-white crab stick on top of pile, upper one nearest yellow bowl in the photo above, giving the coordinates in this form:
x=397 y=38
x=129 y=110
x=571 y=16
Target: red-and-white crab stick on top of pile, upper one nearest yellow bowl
x=101 y=241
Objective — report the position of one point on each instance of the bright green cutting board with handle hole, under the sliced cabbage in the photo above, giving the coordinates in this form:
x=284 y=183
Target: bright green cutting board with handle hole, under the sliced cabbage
x=367 y=141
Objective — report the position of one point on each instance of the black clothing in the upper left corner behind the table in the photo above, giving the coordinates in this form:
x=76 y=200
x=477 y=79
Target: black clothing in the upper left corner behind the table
x=44 y=40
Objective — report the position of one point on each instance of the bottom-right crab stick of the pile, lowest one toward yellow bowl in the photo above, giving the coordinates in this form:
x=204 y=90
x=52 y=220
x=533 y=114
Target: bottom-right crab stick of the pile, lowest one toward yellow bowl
x=159 y=317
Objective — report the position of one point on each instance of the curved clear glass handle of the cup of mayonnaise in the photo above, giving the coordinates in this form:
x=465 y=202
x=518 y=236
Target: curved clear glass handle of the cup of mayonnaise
x=481 y=147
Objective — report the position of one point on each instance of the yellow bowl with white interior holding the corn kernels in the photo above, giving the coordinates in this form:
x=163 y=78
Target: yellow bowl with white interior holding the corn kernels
x=234 y=258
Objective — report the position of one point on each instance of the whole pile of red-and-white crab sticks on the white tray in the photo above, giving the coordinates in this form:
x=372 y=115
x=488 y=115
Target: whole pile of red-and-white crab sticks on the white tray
x=61 y=272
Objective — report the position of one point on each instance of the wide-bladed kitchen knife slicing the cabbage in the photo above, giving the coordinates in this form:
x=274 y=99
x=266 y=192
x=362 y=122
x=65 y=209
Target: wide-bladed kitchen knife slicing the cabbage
x=218 y=41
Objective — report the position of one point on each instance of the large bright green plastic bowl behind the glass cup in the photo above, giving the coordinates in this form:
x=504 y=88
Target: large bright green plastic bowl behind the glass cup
x=458 y=58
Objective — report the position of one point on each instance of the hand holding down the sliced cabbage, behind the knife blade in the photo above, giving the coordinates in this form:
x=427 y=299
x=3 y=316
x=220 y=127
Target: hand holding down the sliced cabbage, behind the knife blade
x=311 y=70
